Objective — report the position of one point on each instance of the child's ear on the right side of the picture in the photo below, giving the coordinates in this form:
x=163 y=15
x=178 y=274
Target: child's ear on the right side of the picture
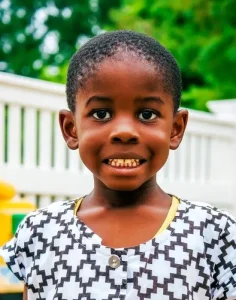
x=178 y=128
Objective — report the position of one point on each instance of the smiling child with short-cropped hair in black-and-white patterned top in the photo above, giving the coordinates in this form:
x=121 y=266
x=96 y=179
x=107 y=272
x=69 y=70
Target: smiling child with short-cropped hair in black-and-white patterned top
x=127 y=239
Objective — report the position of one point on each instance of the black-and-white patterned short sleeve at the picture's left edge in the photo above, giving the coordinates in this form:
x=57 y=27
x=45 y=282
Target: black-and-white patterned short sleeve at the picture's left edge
x=13 y=252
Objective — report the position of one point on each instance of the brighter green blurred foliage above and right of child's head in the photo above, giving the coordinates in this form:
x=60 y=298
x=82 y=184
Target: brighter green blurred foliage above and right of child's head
x=202 y=36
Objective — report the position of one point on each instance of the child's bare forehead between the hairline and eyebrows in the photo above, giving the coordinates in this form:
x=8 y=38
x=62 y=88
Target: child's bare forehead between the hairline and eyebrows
x=125 y=78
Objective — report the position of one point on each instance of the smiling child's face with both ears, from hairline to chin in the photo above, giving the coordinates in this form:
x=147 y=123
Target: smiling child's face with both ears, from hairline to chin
x=123 y=112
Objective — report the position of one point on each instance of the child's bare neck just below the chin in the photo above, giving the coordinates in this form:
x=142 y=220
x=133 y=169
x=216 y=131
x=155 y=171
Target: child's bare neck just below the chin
x=147 y=194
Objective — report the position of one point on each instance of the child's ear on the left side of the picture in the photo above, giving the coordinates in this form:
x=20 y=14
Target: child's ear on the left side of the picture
x=68 y=129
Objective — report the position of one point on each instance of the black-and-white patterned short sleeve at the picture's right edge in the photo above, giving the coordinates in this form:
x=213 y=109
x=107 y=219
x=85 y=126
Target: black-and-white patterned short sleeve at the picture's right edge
x=224 y=284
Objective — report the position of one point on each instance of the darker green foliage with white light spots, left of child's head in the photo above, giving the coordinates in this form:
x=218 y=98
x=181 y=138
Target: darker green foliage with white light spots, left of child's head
x=38 y=37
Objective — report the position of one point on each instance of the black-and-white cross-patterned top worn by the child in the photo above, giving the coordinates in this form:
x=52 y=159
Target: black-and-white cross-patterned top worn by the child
x=60 y=258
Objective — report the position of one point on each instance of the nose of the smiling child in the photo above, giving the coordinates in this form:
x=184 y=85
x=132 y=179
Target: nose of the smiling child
x=124 y=132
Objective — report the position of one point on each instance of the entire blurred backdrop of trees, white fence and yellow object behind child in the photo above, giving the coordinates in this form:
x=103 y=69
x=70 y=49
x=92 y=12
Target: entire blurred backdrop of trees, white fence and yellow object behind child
x=37 y=40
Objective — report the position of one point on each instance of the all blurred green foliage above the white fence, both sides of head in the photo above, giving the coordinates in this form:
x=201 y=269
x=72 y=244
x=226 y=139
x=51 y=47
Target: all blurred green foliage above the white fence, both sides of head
x=38 y=37
